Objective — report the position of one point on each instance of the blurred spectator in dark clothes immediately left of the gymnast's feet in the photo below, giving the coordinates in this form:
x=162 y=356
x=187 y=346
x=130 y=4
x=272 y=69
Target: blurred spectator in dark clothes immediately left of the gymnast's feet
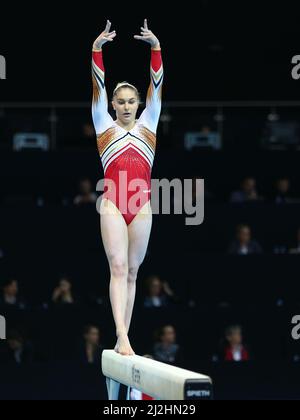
x=90 y=349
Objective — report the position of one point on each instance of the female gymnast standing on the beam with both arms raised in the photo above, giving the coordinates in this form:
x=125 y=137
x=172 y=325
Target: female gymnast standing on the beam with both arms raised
x=126 y=145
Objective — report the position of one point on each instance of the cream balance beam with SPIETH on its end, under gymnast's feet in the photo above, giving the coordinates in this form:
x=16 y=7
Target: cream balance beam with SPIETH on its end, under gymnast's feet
x=159 y=380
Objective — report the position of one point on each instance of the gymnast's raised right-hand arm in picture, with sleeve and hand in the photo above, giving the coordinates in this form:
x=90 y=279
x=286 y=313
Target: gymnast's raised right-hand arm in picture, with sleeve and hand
x=150 y=116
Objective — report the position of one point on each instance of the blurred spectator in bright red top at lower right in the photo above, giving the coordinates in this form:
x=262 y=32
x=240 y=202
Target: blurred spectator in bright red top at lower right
x=233 y=349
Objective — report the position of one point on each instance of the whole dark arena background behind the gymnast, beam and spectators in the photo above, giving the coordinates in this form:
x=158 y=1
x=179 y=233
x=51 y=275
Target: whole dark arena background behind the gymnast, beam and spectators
x=227 y=67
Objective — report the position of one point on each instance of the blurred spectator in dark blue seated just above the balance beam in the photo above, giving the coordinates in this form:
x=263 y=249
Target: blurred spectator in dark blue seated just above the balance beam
x=165 y=348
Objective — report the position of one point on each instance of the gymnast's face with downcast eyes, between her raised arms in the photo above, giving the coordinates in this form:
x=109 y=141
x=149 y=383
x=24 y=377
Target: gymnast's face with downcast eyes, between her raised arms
x=126 y=103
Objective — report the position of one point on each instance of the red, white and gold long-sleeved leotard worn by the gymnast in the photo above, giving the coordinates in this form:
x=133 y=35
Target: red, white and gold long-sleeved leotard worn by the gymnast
x=127 y=156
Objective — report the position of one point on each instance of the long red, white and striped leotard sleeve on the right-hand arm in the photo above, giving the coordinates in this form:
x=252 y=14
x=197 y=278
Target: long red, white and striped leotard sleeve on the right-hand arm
x=150 y=116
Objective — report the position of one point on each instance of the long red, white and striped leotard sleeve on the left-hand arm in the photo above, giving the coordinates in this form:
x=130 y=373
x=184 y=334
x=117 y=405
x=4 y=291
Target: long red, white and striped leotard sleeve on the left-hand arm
x=101 y=117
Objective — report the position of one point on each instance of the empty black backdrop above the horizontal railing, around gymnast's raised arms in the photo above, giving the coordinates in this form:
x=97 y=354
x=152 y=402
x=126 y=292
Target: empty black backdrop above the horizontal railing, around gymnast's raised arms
x=211 y=49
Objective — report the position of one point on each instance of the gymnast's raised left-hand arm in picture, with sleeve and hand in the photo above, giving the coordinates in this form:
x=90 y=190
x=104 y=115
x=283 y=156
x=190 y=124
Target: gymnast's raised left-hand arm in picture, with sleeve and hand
x=101 y=117
